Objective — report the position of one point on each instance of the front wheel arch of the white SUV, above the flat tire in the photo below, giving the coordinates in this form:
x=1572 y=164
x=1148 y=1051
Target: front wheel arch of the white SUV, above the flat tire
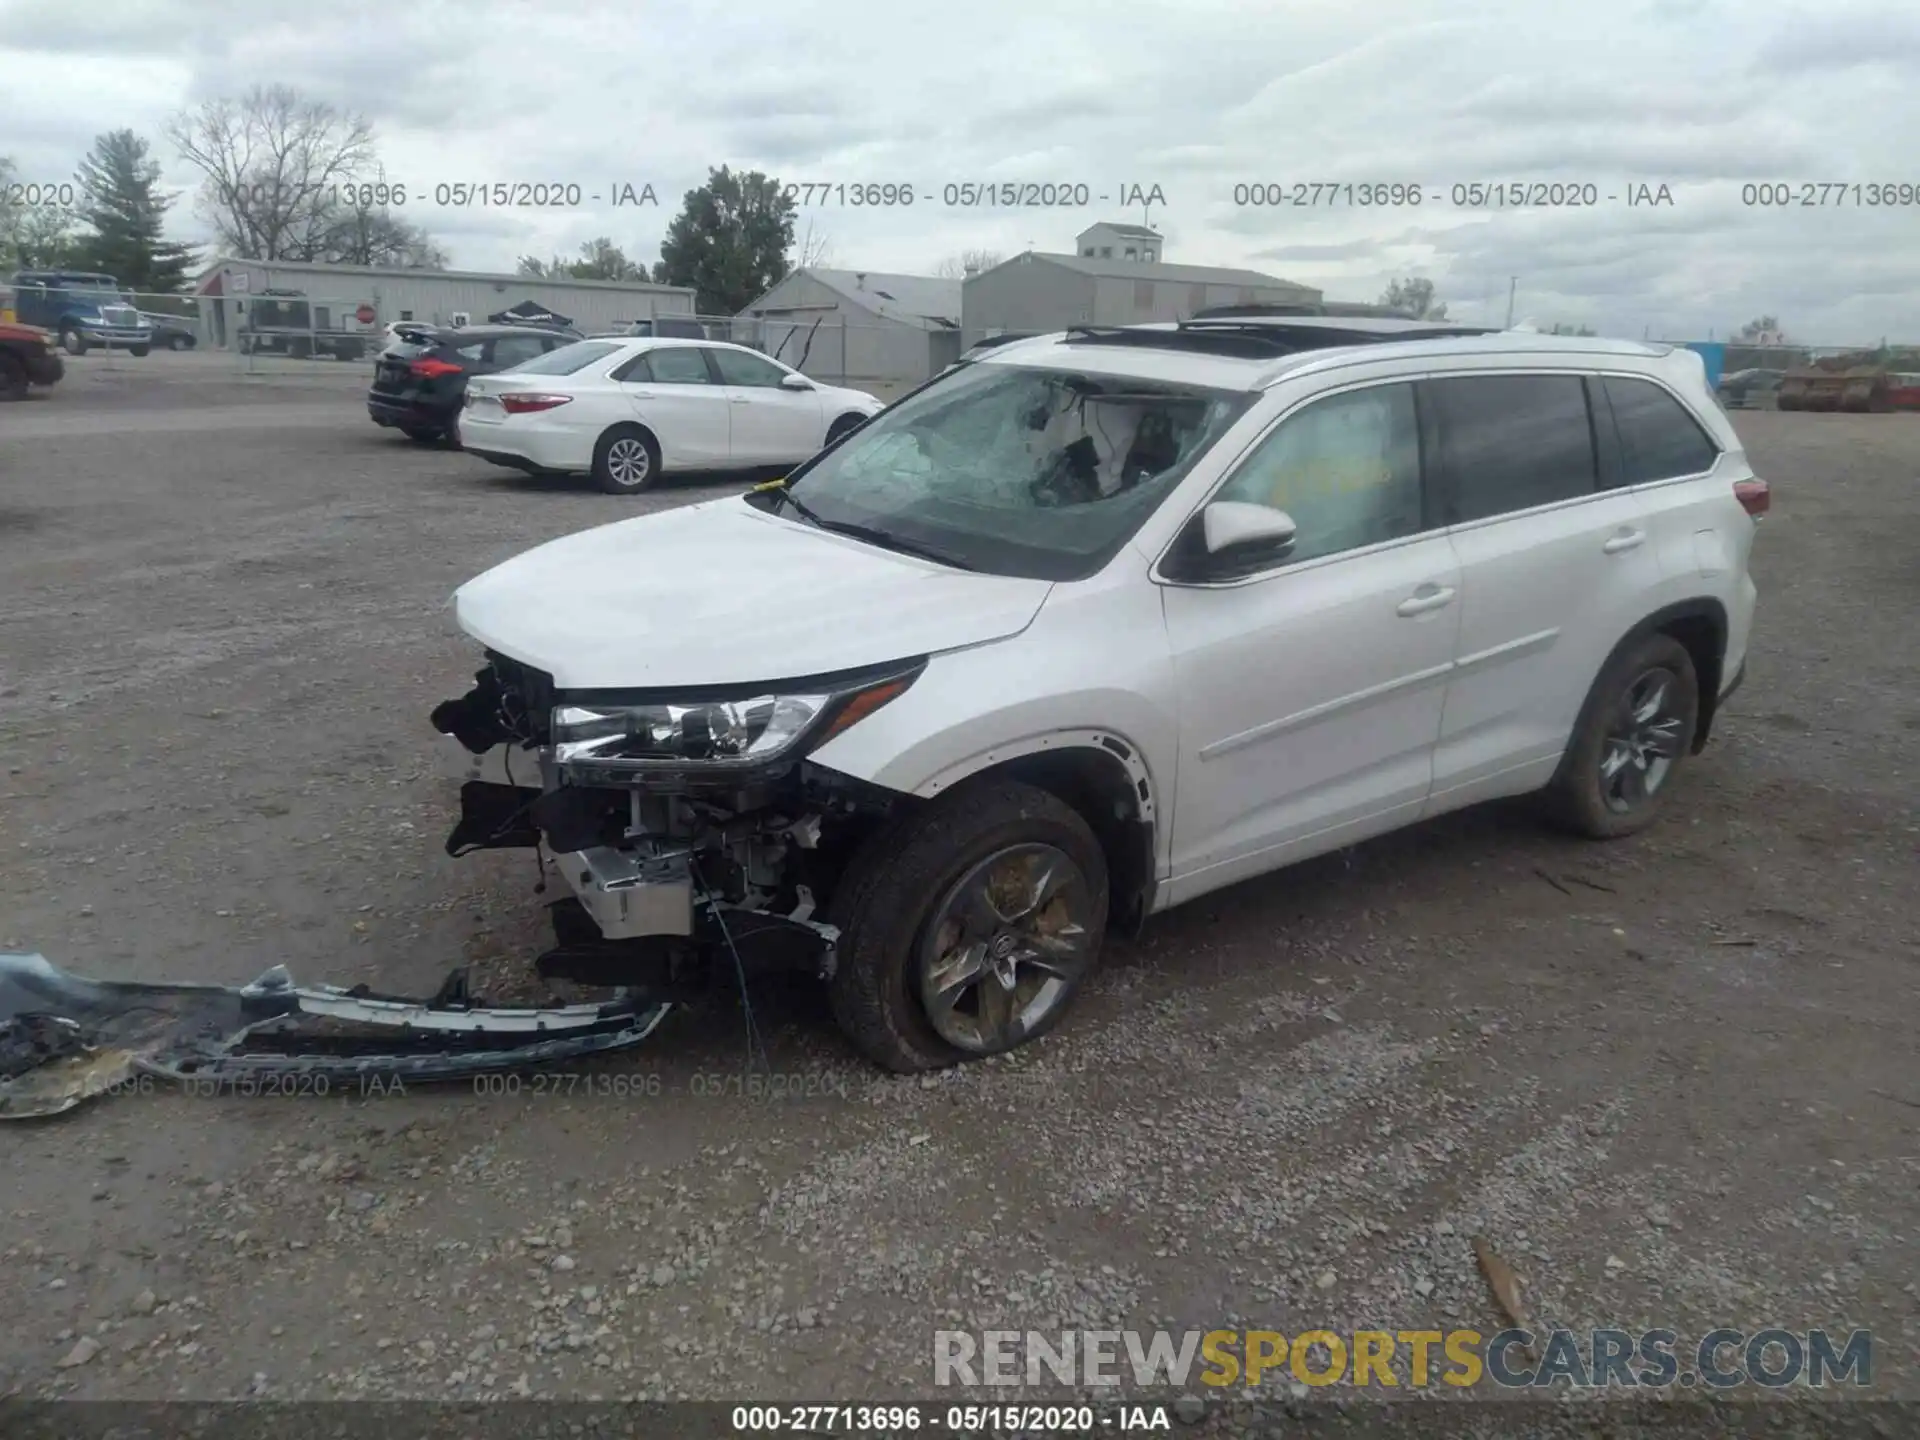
x=1107 y=780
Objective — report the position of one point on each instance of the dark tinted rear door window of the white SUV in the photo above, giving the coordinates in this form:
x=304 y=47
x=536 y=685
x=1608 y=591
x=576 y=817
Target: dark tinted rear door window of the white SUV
x=1510 y=443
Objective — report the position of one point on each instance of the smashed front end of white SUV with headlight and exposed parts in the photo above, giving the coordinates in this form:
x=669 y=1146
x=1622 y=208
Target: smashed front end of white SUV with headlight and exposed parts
x=696 y=838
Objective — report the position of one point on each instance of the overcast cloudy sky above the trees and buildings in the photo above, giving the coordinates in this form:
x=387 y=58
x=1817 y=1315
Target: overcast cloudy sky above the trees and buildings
x=1195 y=97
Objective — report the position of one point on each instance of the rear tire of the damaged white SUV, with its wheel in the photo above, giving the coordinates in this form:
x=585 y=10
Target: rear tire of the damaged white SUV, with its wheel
x=1587 y=802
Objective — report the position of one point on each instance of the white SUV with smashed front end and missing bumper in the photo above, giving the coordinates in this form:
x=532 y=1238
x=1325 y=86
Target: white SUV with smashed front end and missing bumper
x=1092 y=627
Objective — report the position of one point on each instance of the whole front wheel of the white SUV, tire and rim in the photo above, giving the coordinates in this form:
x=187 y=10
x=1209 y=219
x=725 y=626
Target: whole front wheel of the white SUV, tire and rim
x=969 y=926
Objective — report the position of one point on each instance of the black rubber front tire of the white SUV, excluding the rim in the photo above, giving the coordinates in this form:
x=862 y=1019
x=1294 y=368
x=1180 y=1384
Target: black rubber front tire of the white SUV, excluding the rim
x=894 y=909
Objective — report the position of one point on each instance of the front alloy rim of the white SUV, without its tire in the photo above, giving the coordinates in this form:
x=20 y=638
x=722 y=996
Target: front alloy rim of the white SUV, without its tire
x=1005 y=948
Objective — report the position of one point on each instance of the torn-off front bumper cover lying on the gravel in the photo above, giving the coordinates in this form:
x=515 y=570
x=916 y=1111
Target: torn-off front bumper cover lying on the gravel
x=66 y=1040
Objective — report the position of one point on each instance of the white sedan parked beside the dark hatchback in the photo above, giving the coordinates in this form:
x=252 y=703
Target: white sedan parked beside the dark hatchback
x=627 y=412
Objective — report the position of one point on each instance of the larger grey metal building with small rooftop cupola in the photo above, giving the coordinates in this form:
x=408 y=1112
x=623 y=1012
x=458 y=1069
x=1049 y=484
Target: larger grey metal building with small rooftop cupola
x=1042 y=293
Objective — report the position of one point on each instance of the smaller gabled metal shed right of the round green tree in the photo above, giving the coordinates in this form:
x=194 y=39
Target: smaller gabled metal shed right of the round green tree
x=880 y=333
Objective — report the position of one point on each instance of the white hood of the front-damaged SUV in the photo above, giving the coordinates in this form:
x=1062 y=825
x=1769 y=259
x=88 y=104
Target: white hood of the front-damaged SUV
x=725 y=594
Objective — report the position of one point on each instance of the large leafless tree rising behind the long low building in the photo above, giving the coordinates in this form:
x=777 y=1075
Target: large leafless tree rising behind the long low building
x=276 y=170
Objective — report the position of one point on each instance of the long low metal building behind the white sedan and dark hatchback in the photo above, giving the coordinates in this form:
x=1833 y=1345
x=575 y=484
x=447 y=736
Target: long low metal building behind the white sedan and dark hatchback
x=337 y=293
